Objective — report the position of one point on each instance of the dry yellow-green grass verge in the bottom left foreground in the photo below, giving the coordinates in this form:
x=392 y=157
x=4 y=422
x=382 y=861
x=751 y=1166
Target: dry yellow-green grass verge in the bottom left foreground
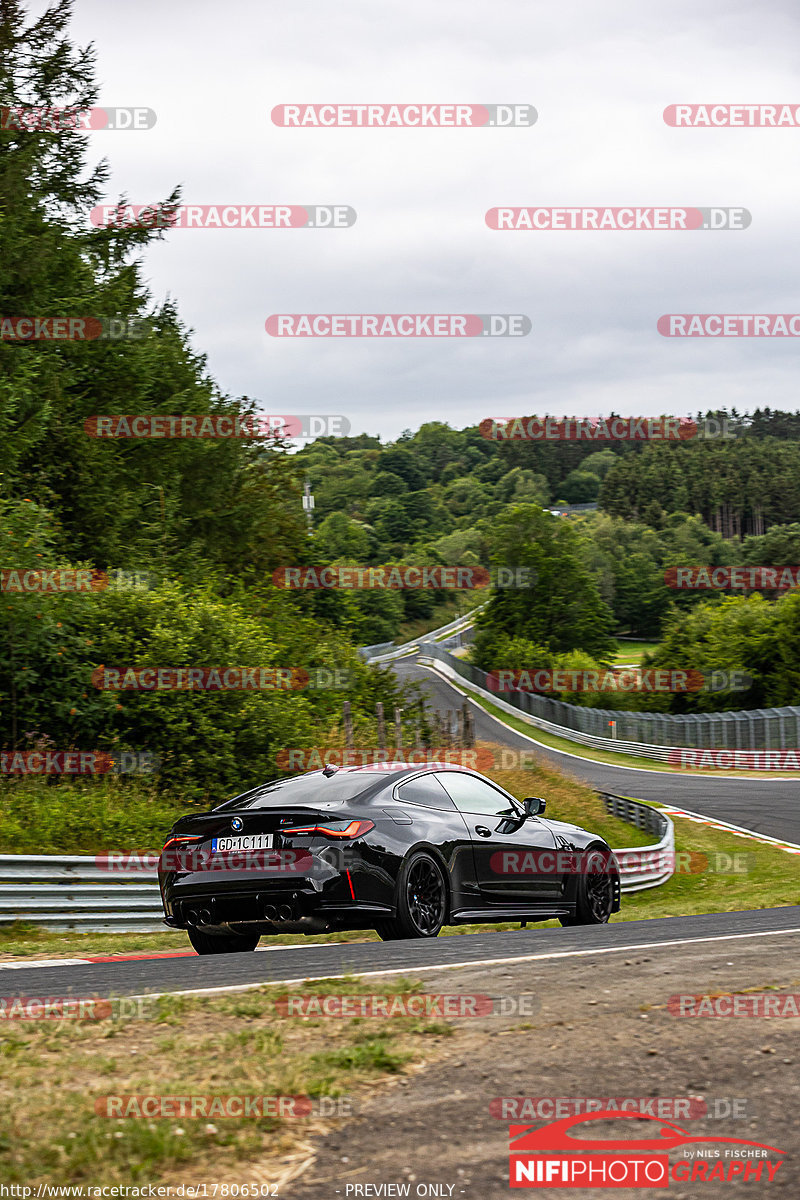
x=55 y=1072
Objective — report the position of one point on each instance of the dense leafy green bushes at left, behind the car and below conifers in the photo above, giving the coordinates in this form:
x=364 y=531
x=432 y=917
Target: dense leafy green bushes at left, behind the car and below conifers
x=210 y=743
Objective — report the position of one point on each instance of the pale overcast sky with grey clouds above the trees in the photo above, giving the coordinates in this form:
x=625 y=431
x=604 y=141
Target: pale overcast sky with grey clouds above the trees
x=599 y=76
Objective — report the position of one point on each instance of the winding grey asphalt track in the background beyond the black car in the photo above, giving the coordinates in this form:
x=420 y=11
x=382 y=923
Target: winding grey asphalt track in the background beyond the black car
x=766 y=806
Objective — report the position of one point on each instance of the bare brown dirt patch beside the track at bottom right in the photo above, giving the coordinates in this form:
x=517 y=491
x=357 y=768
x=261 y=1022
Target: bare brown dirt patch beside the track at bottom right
x=604 y=1030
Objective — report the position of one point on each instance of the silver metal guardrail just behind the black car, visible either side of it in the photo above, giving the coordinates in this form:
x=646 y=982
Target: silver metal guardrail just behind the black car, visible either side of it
x=74 y=893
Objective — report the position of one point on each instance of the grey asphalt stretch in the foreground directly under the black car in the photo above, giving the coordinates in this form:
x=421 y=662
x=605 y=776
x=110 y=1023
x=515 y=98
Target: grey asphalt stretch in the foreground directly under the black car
x=545 y=947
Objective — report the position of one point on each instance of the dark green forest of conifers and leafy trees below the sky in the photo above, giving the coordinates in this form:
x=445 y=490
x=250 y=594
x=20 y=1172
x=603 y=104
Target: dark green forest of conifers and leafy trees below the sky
x=208 y=521
